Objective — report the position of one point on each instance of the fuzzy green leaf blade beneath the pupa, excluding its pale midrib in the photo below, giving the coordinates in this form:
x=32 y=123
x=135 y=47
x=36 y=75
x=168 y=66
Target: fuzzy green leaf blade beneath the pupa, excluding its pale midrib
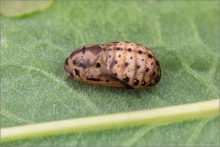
x=183 y=35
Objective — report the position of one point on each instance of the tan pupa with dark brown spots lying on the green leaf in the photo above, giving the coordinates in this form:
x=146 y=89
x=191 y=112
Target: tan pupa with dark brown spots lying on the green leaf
x=118 y=64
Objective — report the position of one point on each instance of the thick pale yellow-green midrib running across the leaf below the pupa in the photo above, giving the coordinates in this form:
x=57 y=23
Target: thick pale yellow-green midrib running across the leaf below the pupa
x=160 y=116
